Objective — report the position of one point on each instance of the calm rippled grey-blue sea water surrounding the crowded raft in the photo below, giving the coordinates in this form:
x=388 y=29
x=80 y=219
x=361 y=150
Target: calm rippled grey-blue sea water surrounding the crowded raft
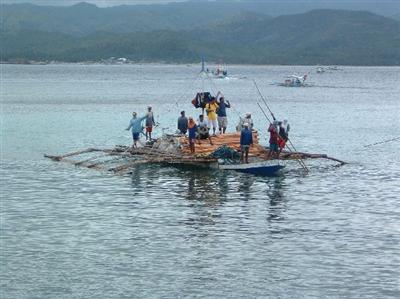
x=69 y=232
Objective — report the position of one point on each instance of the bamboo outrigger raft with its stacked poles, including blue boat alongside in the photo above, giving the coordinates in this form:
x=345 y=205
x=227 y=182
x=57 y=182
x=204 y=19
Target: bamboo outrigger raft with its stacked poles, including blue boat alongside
x=173 y=150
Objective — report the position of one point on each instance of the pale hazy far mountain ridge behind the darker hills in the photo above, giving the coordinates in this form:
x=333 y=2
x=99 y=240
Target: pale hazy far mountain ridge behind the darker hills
x=84 y=18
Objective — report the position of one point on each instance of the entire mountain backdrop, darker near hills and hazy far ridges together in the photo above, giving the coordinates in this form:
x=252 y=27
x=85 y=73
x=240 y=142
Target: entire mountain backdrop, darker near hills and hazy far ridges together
x=175 y=33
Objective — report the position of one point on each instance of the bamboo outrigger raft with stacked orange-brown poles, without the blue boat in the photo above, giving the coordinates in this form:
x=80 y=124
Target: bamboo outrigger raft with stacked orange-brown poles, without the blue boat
x=171 y=150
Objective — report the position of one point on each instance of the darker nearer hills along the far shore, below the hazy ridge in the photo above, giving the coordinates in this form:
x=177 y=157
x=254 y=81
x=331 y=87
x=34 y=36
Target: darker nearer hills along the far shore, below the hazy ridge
x=316 y=37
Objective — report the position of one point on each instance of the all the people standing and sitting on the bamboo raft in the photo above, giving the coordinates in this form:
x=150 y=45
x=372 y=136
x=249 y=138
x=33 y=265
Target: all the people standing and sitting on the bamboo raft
x=215 y=108
